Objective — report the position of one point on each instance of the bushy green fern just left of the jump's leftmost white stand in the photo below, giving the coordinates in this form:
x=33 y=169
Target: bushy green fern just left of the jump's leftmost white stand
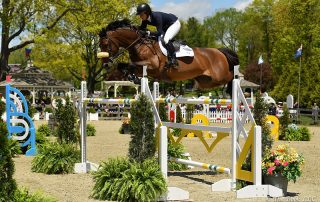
x=55 y=158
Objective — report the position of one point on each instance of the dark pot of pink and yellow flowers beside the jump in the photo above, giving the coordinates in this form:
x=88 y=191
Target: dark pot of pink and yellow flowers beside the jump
x=282 y=165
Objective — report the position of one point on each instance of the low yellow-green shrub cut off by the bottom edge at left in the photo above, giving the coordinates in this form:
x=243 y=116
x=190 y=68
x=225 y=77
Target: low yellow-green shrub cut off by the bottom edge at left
x=23 y=195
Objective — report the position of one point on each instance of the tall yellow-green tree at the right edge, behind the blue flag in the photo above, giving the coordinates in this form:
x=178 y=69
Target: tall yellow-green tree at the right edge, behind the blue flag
x=295 y=23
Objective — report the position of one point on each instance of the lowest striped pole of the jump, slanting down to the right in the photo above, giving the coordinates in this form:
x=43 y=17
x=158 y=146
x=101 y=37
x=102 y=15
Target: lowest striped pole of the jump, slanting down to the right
x=214 y=168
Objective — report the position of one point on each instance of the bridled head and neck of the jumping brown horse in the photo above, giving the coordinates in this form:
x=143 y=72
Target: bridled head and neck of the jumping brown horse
x=117 y=34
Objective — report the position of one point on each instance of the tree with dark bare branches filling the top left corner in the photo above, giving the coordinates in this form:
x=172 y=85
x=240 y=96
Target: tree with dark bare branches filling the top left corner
x=26 y=20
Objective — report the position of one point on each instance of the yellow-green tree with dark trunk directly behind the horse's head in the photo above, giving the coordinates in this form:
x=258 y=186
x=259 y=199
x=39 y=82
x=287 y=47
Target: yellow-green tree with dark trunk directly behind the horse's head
x=75 y=43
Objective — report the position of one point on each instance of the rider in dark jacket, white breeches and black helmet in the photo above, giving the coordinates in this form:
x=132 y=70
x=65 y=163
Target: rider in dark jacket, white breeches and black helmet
x=167 y=26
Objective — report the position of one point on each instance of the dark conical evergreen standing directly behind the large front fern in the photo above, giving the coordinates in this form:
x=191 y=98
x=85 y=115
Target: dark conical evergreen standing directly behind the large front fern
x=143 y=142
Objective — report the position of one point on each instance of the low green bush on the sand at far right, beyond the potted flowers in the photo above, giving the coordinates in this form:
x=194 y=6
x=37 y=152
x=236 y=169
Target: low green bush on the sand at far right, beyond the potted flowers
x=297 y=134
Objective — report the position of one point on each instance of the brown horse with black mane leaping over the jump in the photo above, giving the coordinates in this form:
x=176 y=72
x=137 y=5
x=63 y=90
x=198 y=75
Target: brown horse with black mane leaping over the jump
x=209 y=67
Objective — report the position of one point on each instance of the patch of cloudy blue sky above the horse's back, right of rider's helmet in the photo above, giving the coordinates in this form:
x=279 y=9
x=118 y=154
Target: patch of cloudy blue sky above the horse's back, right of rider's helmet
x=196 y=8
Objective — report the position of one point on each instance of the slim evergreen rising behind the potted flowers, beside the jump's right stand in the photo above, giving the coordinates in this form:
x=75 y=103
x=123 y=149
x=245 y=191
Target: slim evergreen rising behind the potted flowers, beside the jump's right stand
x=260 y=112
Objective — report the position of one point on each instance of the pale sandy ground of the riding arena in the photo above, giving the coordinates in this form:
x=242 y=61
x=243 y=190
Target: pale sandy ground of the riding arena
x=109 y=143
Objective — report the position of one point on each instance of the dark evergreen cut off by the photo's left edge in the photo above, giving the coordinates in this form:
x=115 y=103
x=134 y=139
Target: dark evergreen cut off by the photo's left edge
x=7 y=183
